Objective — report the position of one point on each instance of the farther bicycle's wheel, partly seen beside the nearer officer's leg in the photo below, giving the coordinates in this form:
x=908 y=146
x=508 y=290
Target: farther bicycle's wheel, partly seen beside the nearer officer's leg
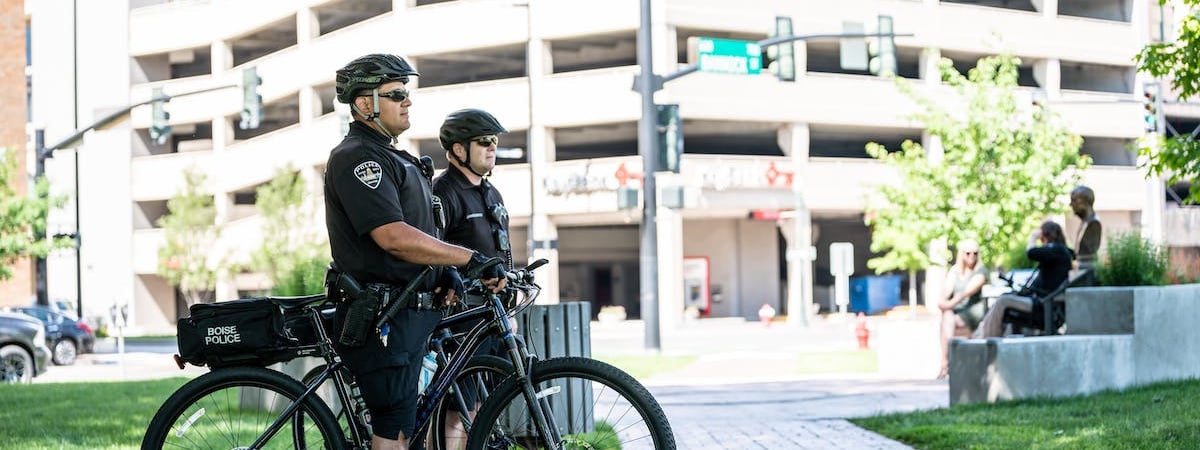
x=482 y=376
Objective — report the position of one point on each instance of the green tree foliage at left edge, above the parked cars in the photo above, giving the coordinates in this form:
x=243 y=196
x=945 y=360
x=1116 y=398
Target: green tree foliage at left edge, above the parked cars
x=23 y=218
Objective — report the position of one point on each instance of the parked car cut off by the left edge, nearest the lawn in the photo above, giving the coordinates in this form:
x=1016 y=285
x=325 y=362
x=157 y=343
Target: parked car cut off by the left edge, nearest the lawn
x=23 y=351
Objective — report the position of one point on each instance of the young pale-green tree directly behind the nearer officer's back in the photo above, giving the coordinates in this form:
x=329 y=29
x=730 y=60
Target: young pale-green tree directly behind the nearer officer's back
x=293 y=255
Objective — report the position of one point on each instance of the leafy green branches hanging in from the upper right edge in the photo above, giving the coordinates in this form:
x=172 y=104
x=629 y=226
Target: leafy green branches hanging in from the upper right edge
x=1179 y=157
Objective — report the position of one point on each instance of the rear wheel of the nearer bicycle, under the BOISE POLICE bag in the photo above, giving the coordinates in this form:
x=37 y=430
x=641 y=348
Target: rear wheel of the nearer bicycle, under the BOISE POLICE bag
x=230 y=409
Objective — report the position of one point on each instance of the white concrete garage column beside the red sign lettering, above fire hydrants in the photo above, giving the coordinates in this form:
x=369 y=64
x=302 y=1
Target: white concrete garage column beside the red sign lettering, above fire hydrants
x=794 y=140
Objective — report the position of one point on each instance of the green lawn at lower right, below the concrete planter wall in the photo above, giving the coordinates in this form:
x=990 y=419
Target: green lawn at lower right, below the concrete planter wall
x=1156 y=417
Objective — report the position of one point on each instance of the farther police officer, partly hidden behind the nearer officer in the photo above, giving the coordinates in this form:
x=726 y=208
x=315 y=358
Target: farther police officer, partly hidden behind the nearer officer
x=475 y=211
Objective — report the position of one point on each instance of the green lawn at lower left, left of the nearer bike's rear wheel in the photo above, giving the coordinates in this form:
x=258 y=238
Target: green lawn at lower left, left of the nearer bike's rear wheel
x=80 y=416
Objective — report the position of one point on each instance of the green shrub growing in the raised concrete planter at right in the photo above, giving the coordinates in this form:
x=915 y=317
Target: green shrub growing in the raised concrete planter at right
x=1132 y=261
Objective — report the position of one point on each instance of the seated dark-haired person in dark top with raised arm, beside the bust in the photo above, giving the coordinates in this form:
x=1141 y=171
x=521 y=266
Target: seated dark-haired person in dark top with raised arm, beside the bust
x=1054 y=261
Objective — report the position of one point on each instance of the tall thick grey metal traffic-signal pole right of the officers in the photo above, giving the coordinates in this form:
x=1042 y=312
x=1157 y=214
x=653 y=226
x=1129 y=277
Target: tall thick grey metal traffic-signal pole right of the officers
x=647 y=143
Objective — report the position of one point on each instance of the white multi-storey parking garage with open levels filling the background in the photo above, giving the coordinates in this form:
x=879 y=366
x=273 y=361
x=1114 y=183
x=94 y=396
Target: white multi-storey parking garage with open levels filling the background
x=773 y=172
